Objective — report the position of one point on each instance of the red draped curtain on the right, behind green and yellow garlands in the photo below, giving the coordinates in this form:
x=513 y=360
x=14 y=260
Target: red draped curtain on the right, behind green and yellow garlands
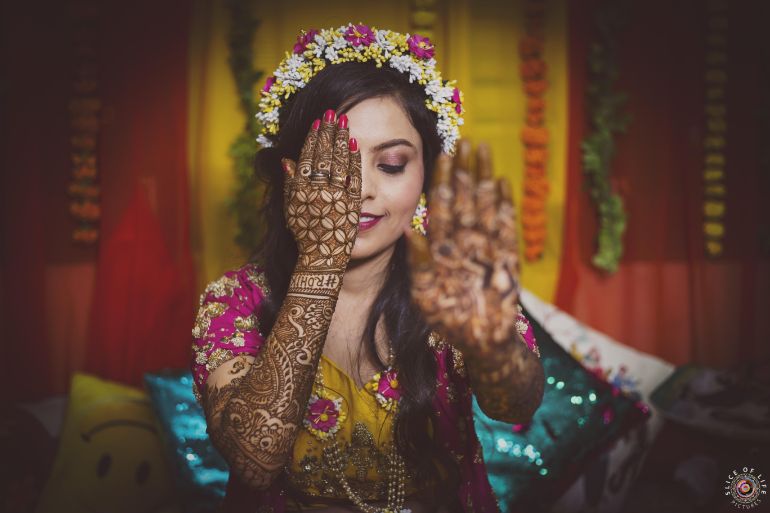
x=667 y=298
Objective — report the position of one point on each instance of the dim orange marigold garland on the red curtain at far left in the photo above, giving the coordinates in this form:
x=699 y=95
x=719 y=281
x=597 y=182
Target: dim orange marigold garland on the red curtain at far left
x=84 y=109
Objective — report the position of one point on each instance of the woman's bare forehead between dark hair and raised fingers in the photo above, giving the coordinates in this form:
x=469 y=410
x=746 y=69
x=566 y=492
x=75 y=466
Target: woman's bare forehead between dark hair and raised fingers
x=376 y=120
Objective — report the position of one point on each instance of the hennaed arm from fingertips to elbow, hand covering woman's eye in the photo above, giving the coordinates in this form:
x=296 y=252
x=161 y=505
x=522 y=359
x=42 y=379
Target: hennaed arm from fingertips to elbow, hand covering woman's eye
x=254 y=413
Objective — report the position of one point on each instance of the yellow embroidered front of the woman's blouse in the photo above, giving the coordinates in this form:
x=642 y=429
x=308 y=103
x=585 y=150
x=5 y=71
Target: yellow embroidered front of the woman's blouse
x=365 y=437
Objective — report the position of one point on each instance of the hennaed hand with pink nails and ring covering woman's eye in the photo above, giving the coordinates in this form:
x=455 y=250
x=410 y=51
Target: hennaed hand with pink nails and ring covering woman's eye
x=322 y=196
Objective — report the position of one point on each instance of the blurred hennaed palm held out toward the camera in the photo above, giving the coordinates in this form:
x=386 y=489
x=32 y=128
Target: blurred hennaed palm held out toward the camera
x=465 y=276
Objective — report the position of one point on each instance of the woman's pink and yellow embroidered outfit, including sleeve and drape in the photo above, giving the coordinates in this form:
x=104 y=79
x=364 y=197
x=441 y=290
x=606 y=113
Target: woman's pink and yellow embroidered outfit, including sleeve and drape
x=361 y=418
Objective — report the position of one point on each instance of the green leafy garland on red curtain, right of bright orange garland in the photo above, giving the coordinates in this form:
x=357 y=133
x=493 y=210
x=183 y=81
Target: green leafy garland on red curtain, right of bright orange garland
x=606 y=119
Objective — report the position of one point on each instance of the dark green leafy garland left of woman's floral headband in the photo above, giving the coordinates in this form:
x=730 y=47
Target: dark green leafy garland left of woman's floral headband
x=248 y=189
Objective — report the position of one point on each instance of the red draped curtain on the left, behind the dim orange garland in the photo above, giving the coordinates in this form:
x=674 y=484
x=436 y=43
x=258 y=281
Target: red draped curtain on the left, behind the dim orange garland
x=143 y=298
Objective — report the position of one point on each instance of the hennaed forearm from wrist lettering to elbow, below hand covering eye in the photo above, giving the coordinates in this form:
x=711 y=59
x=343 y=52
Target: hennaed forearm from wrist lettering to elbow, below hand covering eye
x=253 y=420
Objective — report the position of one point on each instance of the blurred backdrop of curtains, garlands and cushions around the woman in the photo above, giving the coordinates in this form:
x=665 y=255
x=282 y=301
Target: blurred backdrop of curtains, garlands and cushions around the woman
x=635 y=134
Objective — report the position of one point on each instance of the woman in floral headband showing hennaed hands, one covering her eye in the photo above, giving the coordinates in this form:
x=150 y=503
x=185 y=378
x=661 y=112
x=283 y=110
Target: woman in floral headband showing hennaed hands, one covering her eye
x=337 y=368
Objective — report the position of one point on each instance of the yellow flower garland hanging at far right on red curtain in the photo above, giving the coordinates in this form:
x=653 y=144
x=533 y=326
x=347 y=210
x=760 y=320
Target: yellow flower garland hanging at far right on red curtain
x=715 y=140
